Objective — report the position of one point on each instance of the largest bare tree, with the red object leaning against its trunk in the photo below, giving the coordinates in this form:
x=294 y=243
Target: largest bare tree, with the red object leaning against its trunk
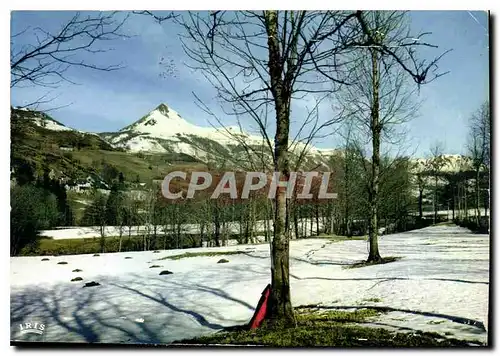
x=259 y=62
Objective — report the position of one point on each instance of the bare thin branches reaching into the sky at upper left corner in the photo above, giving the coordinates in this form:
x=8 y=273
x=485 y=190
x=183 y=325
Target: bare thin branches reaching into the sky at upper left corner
x=42 y=58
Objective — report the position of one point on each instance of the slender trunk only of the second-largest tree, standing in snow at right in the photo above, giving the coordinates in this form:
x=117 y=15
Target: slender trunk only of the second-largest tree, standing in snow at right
x=374 y=255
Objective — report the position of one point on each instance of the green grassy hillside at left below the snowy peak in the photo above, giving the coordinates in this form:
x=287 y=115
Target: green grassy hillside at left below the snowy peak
x=77 y=155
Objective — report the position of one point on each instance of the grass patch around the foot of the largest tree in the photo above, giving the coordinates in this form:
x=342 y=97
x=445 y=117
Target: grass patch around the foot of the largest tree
x=327 y=329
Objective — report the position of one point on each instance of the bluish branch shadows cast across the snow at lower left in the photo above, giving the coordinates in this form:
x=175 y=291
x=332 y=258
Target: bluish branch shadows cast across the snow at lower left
x=99 y=314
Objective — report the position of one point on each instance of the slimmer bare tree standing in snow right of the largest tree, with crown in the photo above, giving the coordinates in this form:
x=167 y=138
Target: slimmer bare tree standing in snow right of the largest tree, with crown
x=381 y=100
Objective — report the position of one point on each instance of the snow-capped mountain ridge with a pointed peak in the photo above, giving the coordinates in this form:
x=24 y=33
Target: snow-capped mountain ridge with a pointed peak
x=164 y=131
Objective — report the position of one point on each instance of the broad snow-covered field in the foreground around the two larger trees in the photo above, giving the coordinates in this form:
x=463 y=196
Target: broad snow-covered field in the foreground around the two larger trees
x=440 y=284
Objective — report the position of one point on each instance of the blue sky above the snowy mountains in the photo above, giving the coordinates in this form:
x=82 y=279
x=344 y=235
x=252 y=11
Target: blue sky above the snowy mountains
x=108 y=101
